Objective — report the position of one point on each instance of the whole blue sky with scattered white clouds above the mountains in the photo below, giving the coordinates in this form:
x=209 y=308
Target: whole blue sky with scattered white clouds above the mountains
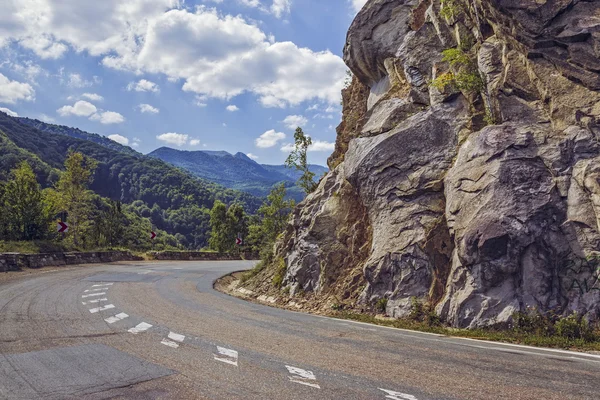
x=234 y=75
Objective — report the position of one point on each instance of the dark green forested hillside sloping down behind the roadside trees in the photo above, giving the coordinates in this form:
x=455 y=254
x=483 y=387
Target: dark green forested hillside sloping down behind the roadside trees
x=173 y=200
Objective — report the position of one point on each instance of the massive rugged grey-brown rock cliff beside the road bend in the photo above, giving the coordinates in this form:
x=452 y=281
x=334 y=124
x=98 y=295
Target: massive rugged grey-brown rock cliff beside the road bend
x=467 y=167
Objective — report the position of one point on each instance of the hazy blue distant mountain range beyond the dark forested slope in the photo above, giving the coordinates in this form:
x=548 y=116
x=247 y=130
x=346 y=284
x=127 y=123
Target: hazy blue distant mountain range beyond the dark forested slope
x=236 y=171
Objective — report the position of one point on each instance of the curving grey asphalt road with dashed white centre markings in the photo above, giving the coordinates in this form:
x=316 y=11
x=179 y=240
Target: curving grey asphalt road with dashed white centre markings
x=159 y=330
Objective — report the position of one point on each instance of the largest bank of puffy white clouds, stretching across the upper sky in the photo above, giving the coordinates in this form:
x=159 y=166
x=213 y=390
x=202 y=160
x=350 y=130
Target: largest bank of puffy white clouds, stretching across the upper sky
x=220 y=56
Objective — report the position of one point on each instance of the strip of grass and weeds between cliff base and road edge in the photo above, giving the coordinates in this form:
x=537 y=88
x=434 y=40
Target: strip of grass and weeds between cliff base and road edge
x=568 y=332
